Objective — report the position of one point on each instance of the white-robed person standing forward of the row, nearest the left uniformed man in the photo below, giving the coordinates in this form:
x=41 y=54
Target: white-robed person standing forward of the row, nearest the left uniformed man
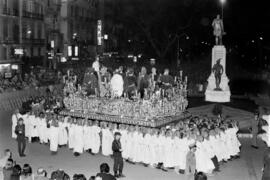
x=54 y=131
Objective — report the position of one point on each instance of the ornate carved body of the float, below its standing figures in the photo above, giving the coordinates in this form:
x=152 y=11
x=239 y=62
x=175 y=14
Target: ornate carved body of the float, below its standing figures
x=160 y=108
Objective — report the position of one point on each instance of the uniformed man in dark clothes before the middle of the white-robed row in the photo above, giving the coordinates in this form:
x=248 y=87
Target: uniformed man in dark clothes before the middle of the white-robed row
x=117 y=155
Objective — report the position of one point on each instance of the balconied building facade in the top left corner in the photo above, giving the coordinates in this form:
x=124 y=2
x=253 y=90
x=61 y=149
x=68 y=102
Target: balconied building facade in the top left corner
x=22 y=27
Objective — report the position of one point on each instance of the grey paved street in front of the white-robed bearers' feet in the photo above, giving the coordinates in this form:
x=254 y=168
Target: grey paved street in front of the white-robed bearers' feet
x=248 y=167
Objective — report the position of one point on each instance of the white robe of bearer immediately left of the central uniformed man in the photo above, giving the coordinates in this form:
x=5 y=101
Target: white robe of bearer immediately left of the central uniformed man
x=107 y=139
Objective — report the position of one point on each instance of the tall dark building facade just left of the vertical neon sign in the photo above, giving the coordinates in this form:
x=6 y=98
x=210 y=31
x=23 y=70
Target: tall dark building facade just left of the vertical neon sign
x=78 y=27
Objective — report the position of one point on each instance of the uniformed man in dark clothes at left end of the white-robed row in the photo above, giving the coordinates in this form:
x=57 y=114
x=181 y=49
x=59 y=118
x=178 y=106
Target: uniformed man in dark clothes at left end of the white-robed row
x=20 y=131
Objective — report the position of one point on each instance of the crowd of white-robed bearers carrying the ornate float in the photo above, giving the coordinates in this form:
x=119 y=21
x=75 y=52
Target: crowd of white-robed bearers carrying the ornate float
x=195 y=144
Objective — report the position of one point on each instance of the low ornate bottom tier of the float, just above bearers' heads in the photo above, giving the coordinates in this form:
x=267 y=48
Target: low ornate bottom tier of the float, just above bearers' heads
x=154 y=123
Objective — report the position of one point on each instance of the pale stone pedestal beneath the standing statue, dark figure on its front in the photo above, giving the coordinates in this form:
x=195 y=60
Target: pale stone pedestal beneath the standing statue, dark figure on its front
x=223 y=95
